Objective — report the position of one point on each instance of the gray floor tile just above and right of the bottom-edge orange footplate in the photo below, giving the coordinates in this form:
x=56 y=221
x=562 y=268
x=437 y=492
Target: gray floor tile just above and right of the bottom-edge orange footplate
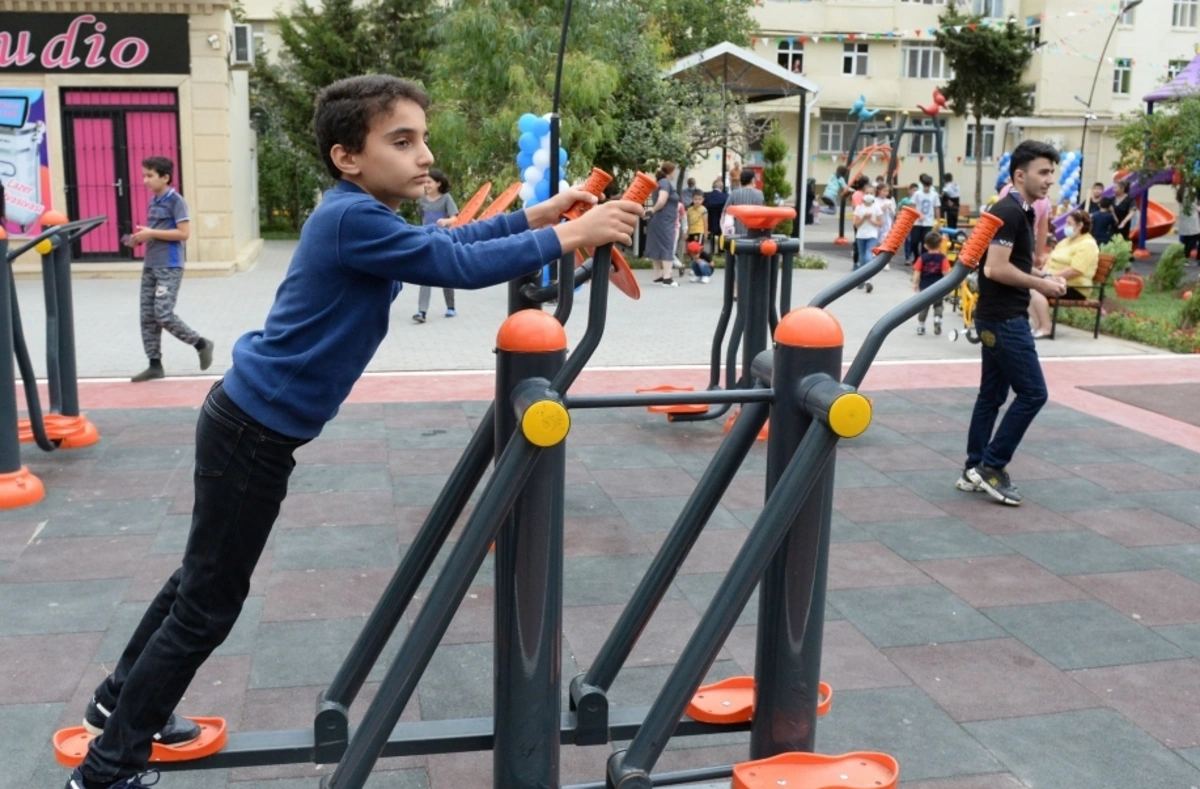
x=907 y=725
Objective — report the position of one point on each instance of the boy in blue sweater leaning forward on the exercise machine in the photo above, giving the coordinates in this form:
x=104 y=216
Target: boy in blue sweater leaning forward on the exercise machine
x=290 y=378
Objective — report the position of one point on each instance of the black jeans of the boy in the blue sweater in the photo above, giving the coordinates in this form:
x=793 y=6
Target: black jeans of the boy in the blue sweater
x=242 y=477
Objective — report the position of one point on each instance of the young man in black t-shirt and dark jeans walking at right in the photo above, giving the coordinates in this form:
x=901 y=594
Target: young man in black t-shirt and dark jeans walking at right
x=1010 y=354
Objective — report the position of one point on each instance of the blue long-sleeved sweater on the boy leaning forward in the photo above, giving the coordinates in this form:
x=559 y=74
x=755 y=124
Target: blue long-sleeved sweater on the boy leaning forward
x=332 y=310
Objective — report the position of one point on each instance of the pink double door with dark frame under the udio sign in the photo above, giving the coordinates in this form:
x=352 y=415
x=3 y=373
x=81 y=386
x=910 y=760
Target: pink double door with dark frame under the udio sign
x=109 y=135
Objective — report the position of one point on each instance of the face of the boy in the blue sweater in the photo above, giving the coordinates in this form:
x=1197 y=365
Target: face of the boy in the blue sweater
x=394 y=165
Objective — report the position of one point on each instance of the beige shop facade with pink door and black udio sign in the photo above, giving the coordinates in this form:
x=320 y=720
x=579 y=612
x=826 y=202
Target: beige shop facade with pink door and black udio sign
x=87 y=95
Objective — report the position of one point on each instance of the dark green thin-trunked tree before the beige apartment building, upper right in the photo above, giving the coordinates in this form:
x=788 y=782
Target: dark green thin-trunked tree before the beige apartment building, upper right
x=989 y=61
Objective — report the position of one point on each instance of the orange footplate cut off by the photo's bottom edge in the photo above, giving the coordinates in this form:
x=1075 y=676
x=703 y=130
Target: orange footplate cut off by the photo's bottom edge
x=860 y=770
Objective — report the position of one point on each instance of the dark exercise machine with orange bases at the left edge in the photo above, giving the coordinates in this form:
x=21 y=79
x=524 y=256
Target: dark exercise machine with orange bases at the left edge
x=64 y=426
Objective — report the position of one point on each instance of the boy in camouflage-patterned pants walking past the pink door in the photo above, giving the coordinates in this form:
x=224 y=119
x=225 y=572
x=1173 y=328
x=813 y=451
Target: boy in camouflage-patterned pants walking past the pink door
x=169 y=226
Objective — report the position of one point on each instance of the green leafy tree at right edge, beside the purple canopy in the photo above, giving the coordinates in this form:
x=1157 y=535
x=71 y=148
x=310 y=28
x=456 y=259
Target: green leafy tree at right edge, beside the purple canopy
x=1167 y=140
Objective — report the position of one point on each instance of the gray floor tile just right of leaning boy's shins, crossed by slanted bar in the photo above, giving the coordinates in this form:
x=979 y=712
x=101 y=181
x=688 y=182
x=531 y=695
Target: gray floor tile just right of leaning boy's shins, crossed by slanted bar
x=301 y=654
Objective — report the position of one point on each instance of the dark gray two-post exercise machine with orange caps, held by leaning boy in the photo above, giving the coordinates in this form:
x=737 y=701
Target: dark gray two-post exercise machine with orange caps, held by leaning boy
x=796 y=387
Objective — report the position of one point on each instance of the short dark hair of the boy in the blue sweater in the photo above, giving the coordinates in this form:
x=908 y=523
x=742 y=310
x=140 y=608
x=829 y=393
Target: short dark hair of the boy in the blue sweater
x=347 y=109
